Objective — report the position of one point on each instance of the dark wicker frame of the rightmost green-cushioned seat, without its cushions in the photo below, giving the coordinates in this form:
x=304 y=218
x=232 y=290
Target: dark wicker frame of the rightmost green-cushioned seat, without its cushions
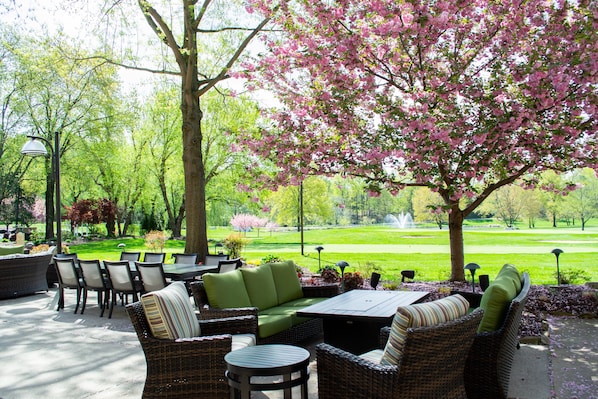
x=488 y=367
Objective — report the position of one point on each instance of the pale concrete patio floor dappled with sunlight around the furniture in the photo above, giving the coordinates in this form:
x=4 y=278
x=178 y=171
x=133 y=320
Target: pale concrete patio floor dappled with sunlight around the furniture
x=50 y=354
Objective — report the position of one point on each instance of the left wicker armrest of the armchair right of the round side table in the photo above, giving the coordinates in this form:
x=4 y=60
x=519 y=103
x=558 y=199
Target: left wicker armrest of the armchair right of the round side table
x=342 y=374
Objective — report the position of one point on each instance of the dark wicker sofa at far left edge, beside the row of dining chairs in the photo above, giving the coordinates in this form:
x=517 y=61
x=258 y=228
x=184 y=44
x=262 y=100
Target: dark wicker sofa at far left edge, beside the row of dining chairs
x=23 y=274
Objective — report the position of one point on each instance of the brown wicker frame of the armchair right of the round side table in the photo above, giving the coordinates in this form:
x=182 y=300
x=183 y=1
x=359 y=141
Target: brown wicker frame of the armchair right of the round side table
x=432 y=366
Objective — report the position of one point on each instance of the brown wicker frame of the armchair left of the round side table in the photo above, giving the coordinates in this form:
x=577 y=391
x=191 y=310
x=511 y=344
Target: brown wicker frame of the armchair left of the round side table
x=188 y=368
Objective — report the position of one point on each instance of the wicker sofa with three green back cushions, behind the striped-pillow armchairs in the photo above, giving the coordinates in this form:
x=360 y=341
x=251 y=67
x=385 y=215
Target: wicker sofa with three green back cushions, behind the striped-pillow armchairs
x=272 y=292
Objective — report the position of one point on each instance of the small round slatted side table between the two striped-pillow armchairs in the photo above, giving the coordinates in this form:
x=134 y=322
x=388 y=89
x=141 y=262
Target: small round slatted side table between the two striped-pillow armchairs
x=267 y=361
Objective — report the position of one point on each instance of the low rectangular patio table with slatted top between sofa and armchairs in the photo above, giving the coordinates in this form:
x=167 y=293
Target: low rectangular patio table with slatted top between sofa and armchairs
x=352 y=320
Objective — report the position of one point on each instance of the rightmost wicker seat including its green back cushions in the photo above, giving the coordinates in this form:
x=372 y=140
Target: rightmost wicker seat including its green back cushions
x=488 y=366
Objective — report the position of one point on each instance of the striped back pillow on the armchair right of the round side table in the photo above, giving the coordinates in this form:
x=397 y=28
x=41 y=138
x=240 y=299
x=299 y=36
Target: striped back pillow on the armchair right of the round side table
x=420 y=315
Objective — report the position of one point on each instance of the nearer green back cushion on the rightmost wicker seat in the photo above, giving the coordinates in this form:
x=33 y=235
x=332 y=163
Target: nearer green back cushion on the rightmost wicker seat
x=495 y=302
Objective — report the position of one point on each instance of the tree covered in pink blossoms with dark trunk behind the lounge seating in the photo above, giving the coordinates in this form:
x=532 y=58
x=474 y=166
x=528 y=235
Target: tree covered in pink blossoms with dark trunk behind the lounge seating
x=463 y=97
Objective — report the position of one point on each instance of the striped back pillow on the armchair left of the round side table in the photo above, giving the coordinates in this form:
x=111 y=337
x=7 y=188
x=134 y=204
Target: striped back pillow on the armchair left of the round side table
x=169 y=312
